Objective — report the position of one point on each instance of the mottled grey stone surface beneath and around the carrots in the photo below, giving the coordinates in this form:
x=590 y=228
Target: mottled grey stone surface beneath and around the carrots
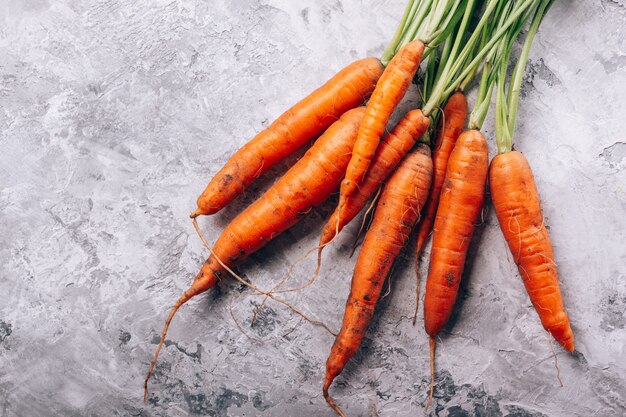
x=113 y=116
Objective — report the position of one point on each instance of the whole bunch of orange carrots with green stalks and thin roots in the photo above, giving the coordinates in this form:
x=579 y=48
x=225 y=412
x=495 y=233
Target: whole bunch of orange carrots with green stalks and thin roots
x=426 y=177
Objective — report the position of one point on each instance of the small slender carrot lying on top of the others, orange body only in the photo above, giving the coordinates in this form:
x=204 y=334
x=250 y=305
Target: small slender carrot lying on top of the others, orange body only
x=390 y=90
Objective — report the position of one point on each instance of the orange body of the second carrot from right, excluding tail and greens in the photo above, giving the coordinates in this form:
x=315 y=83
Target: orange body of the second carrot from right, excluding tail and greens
x=460 y=203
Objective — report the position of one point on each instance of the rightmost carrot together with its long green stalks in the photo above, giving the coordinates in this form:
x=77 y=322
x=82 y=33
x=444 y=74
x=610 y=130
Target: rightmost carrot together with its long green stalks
x=517 y=203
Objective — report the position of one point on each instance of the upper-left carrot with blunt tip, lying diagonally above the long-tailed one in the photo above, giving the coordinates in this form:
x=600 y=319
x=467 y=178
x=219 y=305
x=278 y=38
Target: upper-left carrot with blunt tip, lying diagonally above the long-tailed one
x=292 y=130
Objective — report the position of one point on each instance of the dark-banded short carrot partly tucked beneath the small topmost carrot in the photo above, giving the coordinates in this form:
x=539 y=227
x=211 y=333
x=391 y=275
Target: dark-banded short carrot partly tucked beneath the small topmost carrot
x=388 y=155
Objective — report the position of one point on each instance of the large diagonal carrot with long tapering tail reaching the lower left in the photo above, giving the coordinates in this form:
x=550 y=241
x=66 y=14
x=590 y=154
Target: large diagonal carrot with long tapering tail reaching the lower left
x=308 y=183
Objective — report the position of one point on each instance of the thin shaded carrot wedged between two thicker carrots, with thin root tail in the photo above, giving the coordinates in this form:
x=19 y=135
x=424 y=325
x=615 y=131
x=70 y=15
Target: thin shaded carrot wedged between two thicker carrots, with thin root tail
x=454 y=114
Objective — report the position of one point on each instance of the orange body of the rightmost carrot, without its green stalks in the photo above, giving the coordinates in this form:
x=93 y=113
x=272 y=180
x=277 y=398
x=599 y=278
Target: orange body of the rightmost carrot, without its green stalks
x=518 y=208
